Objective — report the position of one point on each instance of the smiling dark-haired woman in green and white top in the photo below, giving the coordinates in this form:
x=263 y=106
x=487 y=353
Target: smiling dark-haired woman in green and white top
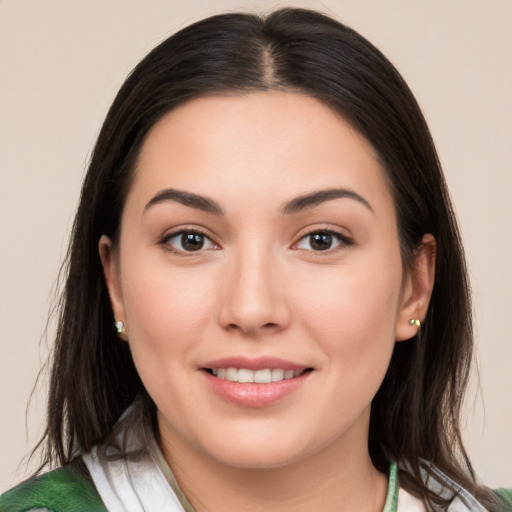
x=265 y=224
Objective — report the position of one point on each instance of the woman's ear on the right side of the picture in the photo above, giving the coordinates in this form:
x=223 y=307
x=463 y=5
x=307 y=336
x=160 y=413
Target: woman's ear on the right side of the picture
x=417 y=289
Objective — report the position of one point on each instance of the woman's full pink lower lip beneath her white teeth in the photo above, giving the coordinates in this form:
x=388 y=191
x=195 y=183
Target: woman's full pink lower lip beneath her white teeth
x=255 y=395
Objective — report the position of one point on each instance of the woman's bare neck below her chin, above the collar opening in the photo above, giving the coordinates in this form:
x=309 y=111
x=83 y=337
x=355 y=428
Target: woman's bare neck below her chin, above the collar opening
x=335 y=479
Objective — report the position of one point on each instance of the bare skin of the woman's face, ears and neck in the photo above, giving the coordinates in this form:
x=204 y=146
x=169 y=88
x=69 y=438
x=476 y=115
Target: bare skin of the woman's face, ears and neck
x=259 y=288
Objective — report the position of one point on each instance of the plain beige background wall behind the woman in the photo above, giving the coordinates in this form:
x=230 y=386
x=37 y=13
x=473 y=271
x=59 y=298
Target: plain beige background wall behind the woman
x=60 y=66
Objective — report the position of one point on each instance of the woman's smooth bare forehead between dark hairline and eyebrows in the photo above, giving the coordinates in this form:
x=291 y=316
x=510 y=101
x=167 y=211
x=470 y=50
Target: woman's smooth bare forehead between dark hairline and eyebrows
x=267 y=143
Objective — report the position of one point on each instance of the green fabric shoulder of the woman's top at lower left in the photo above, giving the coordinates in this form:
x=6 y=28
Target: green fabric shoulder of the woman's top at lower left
x=66 y=488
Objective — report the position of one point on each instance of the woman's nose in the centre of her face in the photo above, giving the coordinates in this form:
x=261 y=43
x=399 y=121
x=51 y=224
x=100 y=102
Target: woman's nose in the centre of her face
x=253 y=299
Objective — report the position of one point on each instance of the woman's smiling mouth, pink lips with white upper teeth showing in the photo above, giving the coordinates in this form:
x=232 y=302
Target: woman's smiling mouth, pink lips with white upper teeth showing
x=254 y=382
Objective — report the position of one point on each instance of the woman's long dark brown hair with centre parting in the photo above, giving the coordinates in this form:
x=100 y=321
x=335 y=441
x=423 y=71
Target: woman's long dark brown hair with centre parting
x=415 y=414
